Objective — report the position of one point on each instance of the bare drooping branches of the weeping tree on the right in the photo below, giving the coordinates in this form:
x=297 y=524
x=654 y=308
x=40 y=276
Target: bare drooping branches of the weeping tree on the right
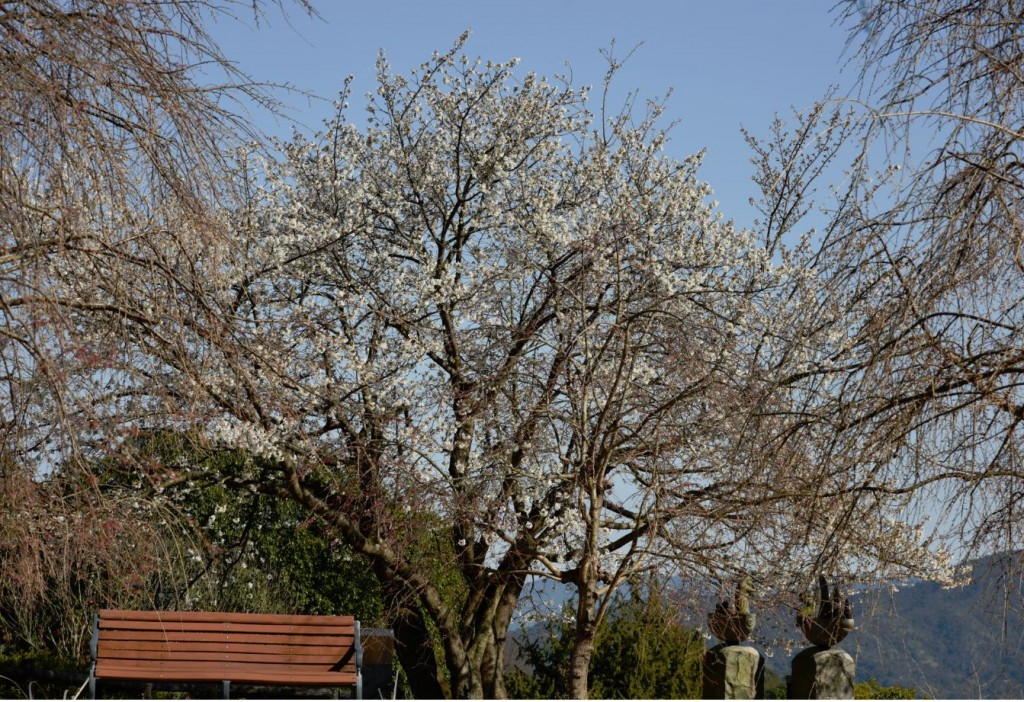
x=918 y=268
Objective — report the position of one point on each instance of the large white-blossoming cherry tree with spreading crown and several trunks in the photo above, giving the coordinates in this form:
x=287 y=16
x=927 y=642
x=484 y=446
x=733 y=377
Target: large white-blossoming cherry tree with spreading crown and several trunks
x=495 y=335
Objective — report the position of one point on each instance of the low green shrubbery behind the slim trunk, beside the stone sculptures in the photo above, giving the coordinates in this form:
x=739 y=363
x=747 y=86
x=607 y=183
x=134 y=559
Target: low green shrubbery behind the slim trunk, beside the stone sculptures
x=642 y=652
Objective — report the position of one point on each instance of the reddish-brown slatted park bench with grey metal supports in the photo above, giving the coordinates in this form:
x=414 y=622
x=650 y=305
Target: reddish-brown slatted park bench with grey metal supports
x=219 y=647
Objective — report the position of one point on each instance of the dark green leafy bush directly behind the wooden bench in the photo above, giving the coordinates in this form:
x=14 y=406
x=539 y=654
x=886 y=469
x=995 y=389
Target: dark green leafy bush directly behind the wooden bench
x=253 y=552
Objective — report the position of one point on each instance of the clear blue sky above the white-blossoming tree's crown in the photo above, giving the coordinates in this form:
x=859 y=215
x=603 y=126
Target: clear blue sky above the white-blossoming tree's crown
x=730 y=63
